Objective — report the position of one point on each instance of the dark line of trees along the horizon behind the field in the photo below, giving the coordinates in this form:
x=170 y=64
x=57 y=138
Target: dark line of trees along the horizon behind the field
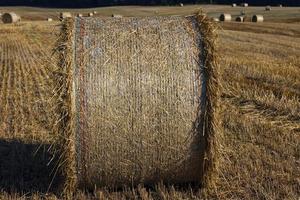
x=95 y=3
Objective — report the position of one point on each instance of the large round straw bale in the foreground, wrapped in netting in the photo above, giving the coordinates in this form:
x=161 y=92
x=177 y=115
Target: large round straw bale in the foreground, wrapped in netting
x=138 y=101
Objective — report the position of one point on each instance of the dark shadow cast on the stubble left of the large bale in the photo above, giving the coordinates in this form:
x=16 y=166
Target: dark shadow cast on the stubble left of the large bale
x=26 y=168
